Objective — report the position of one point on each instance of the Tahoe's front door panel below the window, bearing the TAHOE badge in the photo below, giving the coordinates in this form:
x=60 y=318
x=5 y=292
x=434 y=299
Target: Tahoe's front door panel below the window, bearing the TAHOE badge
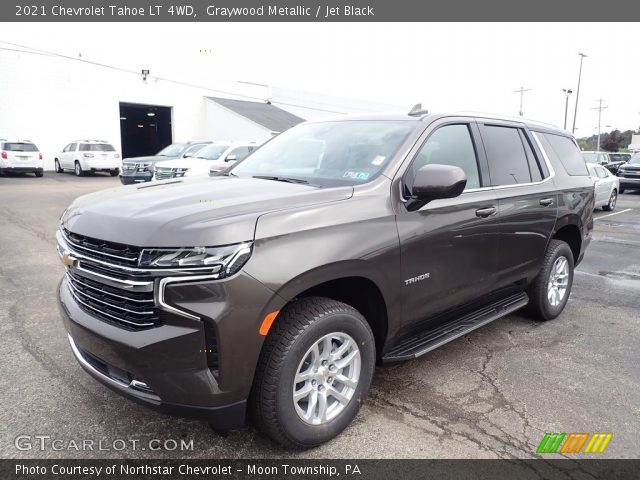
x=448 y=254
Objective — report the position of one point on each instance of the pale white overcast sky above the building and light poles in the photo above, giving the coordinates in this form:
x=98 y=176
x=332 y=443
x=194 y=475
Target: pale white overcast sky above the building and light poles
x=447 y=67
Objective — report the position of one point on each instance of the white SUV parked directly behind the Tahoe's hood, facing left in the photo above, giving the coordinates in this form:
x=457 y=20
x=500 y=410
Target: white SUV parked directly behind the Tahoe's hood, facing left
x=215 y=157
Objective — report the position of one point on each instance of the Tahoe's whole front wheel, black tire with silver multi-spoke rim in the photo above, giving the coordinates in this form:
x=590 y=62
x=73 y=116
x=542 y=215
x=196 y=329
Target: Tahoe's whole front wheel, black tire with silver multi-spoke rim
x=314 y=372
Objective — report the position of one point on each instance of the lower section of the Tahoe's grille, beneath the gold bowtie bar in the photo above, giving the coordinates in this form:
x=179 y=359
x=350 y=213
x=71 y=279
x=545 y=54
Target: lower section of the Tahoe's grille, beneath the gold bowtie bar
x=135 y=310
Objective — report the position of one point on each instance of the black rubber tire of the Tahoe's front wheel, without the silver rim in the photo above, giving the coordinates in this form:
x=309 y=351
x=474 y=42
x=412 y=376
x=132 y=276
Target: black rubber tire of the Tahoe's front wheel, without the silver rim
x=296 y=329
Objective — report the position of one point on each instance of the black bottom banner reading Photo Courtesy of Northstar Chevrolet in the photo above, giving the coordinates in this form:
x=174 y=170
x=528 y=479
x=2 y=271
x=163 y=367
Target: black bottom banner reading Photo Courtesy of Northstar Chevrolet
x=568 y=469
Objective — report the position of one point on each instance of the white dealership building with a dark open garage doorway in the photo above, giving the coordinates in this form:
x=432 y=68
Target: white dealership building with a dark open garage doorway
x=55 y=99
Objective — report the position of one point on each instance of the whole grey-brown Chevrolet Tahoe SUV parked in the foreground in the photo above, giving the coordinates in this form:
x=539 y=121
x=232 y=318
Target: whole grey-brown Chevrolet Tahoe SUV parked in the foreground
x=274 y=288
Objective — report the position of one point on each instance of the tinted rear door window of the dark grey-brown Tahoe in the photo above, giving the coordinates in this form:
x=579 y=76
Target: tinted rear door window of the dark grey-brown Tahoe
x=508 y=163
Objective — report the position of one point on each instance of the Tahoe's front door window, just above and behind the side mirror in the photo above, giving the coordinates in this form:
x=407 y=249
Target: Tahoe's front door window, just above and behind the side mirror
x=448 y=145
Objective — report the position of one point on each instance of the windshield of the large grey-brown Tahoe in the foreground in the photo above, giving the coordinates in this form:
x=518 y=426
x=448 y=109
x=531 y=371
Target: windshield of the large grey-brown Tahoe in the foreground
x=329 y=153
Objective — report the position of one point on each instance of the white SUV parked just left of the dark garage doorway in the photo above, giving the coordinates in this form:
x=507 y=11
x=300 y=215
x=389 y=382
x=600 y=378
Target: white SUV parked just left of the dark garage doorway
x=84 y=156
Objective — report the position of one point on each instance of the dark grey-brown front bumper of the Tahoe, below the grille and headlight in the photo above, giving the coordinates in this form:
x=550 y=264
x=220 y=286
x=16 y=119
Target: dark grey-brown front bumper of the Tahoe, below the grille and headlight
x=165 y=367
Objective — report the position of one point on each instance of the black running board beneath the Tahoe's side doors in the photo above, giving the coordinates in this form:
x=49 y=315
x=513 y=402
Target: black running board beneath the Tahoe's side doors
x=428 y=340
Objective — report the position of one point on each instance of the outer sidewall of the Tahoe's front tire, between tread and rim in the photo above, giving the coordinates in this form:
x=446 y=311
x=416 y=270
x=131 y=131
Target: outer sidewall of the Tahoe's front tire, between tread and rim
x=292 y=425
